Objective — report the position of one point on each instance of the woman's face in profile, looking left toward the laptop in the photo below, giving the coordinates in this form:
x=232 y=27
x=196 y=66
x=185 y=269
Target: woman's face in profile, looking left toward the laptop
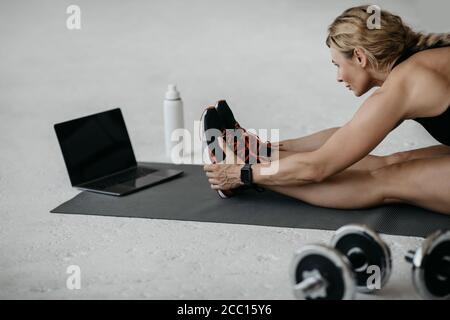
x=351 y=73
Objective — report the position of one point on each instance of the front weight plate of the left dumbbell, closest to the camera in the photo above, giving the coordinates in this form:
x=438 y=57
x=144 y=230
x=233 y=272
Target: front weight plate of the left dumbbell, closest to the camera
x=332 y=266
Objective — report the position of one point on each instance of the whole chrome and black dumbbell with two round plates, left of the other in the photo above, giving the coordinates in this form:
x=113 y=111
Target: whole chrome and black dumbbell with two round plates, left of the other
x=339 y=271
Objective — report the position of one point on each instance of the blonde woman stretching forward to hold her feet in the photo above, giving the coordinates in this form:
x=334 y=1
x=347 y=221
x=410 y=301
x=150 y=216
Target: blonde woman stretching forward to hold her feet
x=333 y=168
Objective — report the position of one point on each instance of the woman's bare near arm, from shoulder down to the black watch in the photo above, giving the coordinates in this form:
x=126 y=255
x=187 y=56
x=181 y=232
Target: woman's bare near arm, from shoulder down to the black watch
x=378 y=115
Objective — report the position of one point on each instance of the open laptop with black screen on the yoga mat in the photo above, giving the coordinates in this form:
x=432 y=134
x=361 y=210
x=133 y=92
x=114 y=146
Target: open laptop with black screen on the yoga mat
x=99 y=157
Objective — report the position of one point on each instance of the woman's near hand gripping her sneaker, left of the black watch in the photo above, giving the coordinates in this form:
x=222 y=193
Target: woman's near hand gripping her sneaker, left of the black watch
x=223 y=176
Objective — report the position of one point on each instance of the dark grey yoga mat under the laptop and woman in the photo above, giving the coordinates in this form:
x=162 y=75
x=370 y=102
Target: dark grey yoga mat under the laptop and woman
x=190 y=198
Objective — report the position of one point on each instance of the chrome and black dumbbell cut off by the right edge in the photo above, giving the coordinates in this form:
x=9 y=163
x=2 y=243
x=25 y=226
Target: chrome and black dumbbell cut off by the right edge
x=431 y=266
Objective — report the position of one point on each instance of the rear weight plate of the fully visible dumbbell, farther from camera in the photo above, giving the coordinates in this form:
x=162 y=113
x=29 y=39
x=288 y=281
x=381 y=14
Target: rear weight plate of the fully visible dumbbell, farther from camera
x=363 y=247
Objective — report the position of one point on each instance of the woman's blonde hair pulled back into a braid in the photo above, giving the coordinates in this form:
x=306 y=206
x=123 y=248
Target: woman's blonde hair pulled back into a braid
x=384 y=47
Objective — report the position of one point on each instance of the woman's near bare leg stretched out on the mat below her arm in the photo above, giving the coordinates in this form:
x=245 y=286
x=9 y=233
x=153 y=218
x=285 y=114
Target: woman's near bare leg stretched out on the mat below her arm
x=423 y=182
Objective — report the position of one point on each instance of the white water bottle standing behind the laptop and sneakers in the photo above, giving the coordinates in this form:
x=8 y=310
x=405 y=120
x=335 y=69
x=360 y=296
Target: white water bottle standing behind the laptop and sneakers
x=173 y=116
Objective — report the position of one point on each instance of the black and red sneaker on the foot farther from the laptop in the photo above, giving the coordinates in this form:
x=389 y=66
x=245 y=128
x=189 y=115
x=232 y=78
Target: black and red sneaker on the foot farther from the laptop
x=247 y=146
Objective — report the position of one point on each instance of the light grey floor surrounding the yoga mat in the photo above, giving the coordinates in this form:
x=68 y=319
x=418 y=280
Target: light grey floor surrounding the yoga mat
x=267 y=58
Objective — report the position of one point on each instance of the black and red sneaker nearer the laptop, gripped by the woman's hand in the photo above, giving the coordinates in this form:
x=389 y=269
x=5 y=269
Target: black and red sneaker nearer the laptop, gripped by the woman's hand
x=213 y=130
